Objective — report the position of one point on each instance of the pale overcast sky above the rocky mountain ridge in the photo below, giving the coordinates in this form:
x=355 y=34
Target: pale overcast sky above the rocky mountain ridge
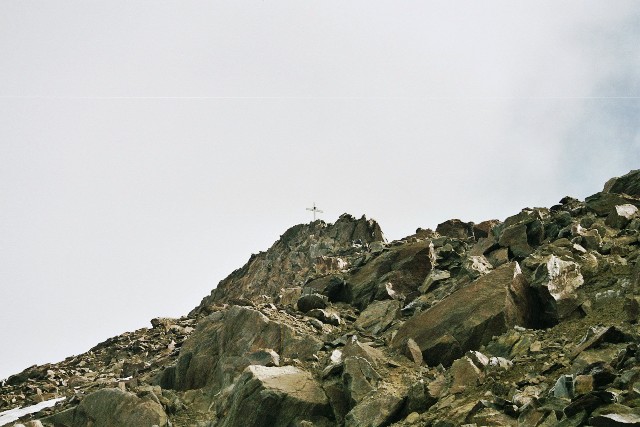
x=147 y=148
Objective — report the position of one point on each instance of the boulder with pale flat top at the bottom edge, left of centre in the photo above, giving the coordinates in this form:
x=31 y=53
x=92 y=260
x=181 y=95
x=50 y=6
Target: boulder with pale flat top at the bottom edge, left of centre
x=274 y=397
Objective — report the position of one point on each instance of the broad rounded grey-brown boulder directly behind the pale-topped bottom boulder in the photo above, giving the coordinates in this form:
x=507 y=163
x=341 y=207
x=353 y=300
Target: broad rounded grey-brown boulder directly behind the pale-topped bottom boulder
x=222 y=346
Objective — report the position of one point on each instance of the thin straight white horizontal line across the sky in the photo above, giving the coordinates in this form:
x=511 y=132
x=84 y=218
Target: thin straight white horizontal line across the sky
x=268 y=98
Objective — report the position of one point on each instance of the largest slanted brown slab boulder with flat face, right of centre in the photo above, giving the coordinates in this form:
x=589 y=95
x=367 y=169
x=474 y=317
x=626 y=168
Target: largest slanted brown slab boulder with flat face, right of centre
x=471 y=316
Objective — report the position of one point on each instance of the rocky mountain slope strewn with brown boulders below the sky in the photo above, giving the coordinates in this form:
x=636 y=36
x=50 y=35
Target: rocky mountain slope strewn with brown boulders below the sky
x=530 y=321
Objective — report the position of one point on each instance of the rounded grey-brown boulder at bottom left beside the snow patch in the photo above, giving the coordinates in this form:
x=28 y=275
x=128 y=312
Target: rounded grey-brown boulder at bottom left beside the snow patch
x=111 y=407
